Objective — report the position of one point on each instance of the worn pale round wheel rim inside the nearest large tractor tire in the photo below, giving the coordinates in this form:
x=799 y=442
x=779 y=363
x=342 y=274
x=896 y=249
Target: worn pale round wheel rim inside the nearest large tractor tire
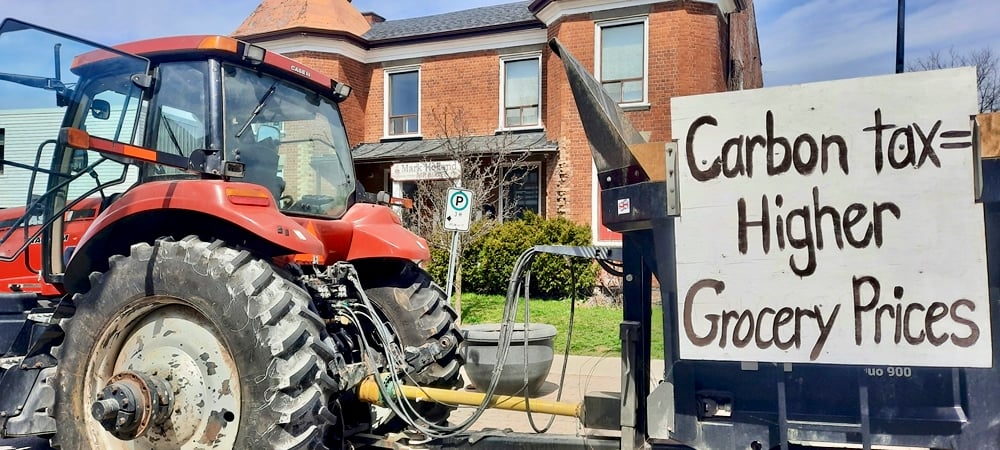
x=162 y=378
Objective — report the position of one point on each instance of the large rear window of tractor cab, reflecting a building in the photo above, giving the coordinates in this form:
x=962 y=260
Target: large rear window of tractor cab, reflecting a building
x=292 y=141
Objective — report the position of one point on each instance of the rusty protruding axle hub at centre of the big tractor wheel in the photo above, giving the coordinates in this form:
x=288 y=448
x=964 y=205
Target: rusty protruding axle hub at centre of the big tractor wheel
x=131 y=402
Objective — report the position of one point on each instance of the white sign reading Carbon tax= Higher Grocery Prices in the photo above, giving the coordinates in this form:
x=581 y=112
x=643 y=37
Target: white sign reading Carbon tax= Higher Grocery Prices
x=833 y=222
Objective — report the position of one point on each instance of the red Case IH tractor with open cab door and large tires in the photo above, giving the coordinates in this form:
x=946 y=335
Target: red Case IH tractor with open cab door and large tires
x=187 y=259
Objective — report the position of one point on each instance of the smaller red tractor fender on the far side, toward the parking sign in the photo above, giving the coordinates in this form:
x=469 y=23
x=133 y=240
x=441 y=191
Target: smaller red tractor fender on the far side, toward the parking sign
x=378 y=233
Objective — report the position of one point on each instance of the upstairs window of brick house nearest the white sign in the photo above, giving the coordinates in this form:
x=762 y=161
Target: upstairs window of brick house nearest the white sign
x=622 y=49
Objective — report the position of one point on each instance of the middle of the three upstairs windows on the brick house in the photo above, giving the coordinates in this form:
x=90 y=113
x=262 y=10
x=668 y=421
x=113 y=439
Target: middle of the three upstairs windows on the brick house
x=520 y=94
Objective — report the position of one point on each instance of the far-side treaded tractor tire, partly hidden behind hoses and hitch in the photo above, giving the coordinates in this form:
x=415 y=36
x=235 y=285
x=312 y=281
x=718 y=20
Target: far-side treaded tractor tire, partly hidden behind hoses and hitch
x=418 y=312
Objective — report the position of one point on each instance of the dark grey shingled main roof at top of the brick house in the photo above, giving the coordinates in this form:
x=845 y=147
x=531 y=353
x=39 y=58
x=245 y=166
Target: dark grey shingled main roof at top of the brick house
x=487 y=17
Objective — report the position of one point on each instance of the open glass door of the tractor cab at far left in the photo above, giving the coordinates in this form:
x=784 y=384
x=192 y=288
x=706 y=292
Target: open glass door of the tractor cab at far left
x=49 y=80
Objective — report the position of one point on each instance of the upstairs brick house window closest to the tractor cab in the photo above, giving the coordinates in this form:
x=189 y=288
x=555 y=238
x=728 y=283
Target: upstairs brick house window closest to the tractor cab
x=403 y=102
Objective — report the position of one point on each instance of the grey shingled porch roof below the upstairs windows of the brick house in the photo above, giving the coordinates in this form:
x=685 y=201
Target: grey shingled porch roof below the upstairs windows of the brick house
x=435 y=148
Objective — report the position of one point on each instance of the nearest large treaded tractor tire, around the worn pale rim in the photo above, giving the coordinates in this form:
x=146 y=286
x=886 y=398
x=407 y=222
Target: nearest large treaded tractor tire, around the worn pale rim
x=278 y=347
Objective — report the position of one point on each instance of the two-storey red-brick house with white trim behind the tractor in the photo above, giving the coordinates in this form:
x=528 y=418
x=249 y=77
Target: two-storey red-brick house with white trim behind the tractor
x=487 y=76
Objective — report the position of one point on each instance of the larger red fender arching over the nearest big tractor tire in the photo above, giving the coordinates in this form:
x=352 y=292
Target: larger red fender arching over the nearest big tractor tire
x=243 y=214
